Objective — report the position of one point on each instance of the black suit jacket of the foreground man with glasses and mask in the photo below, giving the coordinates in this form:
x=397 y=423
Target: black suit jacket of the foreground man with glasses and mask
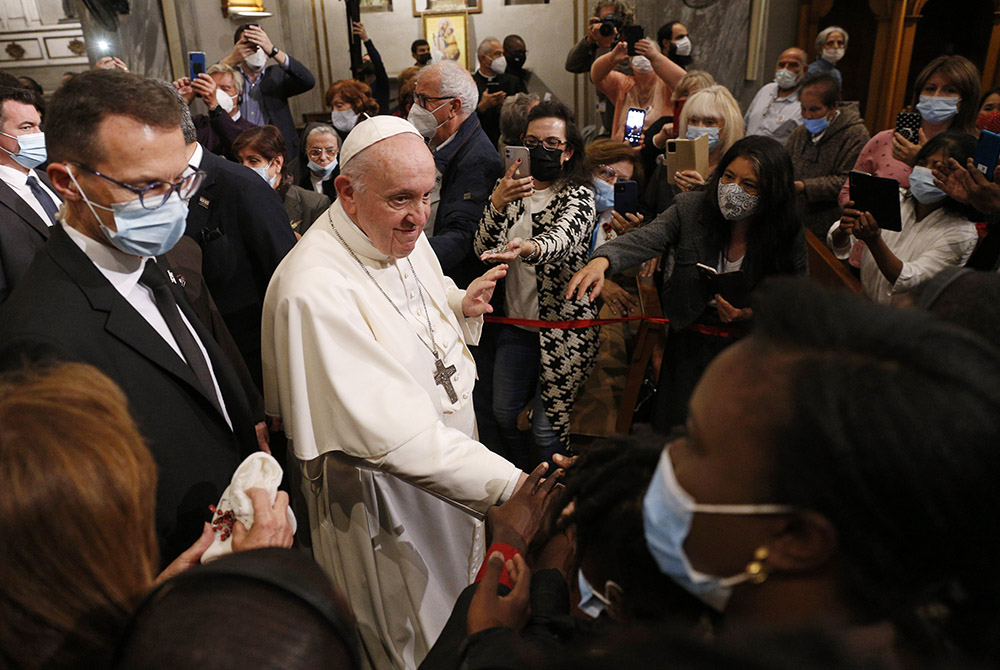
x=65 y=308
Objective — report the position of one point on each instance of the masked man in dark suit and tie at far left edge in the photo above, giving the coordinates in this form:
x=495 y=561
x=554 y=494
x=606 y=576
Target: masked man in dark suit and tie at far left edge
x=27 y=201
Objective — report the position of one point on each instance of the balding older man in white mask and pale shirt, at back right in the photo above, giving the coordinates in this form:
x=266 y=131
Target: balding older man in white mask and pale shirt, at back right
x=775 y=111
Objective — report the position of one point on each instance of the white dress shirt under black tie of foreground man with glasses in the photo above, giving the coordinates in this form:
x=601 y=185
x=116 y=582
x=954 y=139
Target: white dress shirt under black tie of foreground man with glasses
x=123 y=271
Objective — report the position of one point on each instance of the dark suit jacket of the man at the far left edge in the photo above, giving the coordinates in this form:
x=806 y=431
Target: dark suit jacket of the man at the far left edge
x=22 y=234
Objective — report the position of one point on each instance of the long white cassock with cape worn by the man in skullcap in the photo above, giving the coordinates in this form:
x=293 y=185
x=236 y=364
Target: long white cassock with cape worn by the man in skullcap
x=395 y=482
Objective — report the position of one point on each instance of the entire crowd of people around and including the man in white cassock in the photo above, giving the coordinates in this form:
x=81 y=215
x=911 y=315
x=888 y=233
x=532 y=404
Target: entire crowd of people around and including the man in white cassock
x=224 y=334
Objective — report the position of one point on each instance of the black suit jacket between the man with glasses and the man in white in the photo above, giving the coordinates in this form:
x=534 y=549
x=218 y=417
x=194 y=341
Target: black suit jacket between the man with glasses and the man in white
x=244 y=232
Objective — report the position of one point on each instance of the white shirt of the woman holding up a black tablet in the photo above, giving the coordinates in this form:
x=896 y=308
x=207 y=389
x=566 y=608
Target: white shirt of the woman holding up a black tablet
x=926 y=247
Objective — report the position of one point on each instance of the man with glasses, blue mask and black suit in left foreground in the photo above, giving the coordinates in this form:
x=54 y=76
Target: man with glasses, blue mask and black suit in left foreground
x=85 y=296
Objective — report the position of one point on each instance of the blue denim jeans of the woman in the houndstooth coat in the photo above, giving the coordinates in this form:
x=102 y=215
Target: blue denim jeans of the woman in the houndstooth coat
x=515 y=381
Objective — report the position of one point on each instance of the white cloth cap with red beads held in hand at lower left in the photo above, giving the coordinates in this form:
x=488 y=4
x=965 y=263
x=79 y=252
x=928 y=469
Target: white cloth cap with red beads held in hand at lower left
x=257 y=471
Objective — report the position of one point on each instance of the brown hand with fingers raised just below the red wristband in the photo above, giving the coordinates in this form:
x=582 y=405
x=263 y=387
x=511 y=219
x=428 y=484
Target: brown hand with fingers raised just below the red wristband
x=488 y=609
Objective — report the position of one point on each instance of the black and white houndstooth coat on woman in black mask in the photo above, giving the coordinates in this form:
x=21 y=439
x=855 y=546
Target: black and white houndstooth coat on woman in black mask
x=562 y=232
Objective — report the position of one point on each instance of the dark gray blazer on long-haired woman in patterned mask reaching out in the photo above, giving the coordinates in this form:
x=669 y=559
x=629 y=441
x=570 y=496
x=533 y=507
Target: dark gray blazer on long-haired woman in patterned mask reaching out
x=680 y=229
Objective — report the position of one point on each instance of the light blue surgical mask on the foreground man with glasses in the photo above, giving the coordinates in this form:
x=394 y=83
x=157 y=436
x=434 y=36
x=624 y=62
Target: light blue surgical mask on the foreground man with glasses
x=141 y=231
